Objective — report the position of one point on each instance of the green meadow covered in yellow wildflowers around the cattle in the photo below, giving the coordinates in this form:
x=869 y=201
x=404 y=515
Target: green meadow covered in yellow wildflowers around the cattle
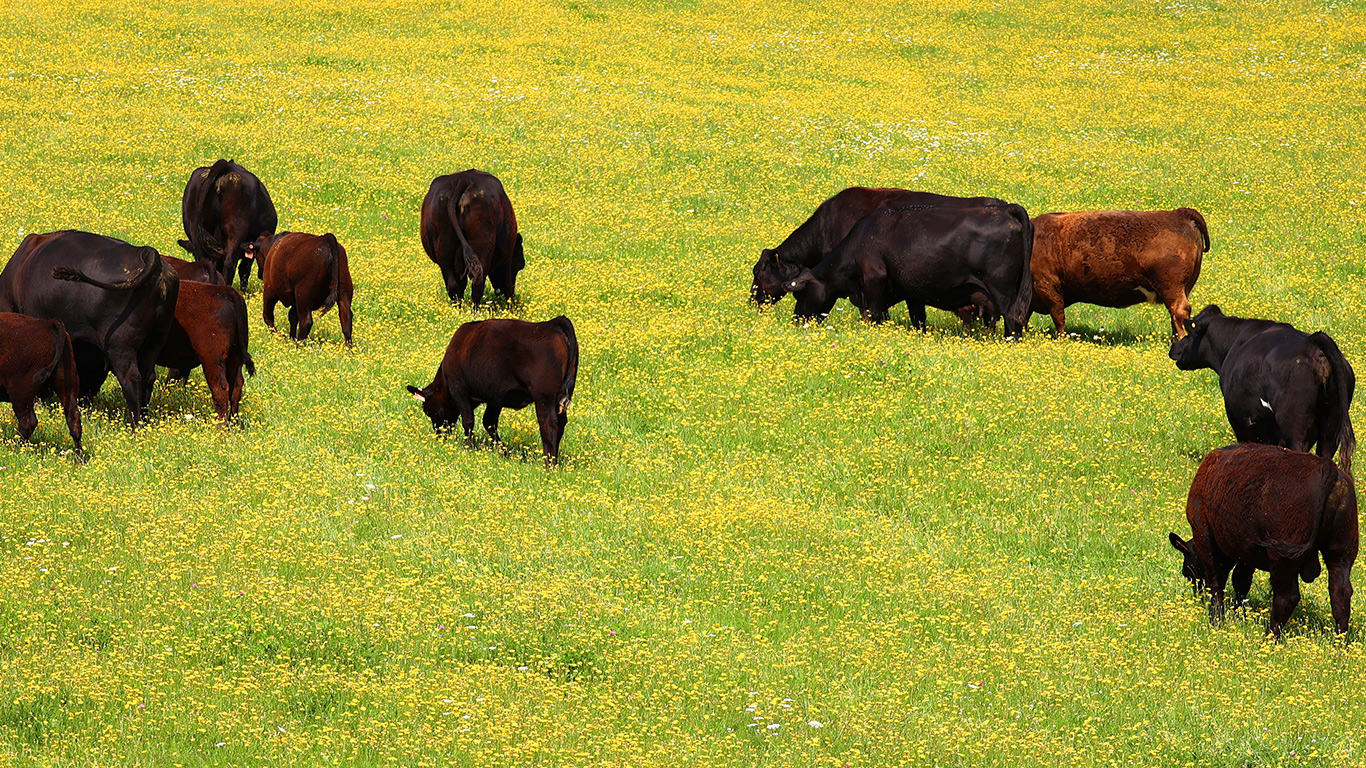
x=768 y=546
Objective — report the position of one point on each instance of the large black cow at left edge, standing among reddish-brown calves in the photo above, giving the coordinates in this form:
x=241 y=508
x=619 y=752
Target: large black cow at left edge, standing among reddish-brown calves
x=117 y=301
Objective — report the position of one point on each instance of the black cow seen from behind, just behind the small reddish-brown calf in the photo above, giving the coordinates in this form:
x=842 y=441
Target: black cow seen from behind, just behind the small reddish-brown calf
x=225 y=211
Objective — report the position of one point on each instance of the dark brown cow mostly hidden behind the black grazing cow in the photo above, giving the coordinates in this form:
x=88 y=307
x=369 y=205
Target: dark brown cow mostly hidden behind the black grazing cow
x=824 y=230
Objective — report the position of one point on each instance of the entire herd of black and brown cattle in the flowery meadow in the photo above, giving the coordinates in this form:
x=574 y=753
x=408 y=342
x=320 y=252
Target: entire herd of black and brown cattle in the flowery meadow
x=76 y=307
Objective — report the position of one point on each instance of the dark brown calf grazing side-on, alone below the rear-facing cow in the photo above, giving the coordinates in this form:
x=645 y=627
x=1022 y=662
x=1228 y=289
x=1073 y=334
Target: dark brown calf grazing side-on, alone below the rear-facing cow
x=506 y=364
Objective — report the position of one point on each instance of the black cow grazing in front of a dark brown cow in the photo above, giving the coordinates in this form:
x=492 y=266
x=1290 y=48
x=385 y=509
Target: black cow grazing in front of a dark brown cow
x=942 y=258
